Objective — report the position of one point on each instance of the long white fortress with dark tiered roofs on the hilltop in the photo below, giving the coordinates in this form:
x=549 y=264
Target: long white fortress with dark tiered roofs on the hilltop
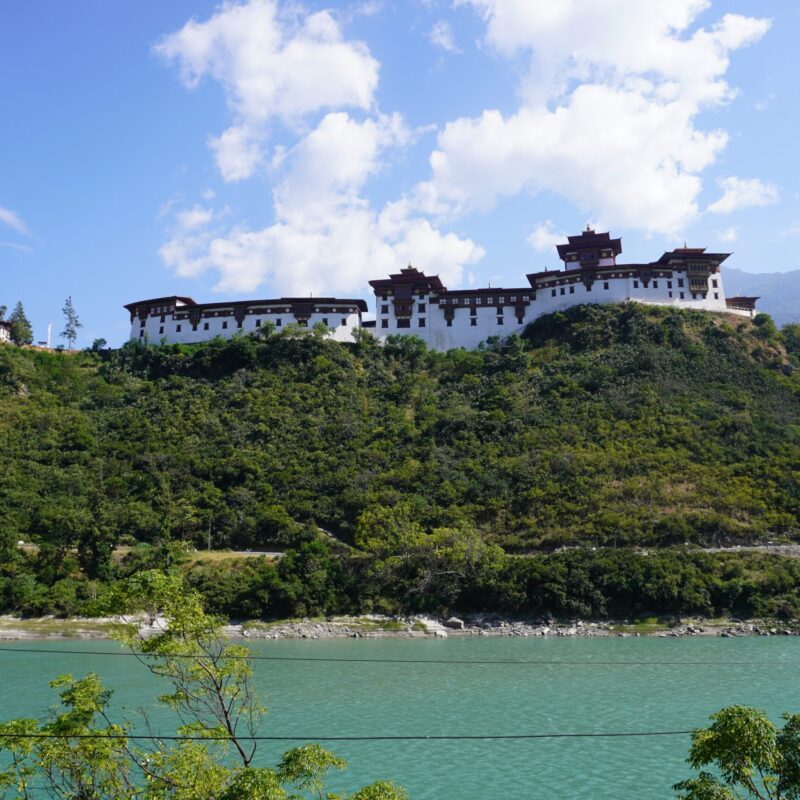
x=410 y=302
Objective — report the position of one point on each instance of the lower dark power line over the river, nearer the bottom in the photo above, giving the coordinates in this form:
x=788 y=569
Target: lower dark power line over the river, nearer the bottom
x=387 y=738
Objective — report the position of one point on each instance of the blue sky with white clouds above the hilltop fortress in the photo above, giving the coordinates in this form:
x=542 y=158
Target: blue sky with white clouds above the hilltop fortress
x=262 y=148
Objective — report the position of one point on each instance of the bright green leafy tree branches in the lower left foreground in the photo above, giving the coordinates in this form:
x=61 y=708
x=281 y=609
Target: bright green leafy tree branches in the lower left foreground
x=81 y=753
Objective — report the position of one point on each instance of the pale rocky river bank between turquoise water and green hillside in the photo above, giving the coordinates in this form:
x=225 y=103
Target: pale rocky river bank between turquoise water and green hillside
x=378 y=626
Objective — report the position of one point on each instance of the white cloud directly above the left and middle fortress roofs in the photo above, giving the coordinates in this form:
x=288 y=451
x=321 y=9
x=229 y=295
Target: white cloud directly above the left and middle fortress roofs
x=326 y=236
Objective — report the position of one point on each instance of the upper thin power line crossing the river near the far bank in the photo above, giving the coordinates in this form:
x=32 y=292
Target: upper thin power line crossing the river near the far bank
x=466 y=662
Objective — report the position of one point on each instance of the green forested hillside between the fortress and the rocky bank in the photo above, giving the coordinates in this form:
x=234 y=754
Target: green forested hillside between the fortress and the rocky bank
x=399 y=478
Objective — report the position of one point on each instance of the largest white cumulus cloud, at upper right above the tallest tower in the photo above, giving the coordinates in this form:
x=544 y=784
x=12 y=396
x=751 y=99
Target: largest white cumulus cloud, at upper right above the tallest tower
x=607 y=110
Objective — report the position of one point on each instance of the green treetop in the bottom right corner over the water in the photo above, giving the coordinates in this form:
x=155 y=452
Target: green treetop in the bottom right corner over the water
x=749 y=754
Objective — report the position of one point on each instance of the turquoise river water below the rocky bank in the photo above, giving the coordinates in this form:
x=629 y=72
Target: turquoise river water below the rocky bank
x=311 y=700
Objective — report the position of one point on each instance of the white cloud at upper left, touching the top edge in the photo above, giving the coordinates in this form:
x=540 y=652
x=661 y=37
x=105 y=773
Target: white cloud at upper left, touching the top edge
x=271 y=67
